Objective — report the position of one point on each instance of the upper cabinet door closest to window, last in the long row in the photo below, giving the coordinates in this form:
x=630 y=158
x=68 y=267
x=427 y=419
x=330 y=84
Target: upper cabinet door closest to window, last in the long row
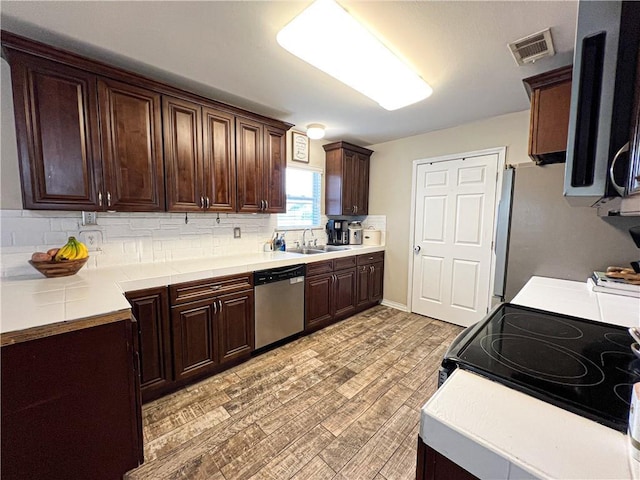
x=275 y=162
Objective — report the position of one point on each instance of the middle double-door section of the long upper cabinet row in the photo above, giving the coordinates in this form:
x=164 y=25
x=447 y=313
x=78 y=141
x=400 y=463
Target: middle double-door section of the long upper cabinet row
x=199 y=157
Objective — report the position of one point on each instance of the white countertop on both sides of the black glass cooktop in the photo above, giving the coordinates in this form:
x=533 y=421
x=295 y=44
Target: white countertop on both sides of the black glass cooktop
x=496 y=432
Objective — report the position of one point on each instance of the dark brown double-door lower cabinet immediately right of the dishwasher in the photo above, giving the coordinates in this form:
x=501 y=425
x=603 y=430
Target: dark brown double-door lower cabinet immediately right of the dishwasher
x=330 y=292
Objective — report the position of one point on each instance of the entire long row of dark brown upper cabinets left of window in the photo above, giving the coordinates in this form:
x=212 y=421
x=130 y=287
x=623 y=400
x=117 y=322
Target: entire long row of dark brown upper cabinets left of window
x=90 y=137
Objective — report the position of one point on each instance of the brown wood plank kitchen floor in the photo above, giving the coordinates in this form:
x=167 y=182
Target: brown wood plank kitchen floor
x=342 y=403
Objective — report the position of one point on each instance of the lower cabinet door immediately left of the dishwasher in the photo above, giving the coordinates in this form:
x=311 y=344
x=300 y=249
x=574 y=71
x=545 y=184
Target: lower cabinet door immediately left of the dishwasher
x=235 y=320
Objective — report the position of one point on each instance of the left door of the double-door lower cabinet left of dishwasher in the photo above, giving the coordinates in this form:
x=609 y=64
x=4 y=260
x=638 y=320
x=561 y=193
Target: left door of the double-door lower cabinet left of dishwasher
x=194 y=339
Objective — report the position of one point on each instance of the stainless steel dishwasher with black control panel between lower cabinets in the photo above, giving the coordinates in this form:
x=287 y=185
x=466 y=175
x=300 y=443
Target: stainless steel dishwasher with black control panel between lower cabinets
x=279 y=305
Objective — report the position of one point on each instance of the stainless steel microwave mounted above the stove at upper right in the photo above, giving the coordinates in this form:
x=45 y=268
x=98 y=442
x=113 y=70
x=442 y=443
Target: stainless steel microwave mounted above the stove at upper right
x=607 y=41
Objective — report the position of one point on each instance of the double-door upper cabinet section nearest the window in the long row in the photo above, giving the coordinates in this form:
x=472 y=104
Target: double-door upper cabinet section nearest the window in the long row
x=261 y=167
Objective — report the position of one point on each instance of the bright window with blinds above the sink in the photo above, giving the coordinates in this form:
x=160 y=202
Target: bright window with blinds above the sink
x=304 y=189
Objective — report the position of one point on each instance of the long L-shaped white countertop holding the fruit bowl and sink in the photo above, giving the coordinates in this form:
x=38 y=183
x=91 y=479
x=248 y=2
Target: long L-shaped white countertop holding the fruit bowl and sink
x=36 y=301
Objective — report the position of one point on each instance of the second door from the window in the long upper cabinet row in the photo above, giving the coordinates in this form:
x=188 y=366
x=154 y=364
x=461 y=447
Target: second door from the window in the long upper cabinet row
x=249 y=154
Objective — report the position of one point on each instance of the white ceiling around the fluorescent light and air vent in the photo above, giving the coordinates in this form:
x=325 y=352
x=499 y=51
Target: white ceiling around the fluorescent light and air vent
x=228 y=51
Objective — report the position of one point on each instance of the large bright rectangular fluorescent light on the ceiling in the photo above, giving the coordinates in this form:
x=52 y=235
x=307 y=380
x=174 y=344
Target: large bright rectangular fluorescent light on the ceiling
x=330 y=39
